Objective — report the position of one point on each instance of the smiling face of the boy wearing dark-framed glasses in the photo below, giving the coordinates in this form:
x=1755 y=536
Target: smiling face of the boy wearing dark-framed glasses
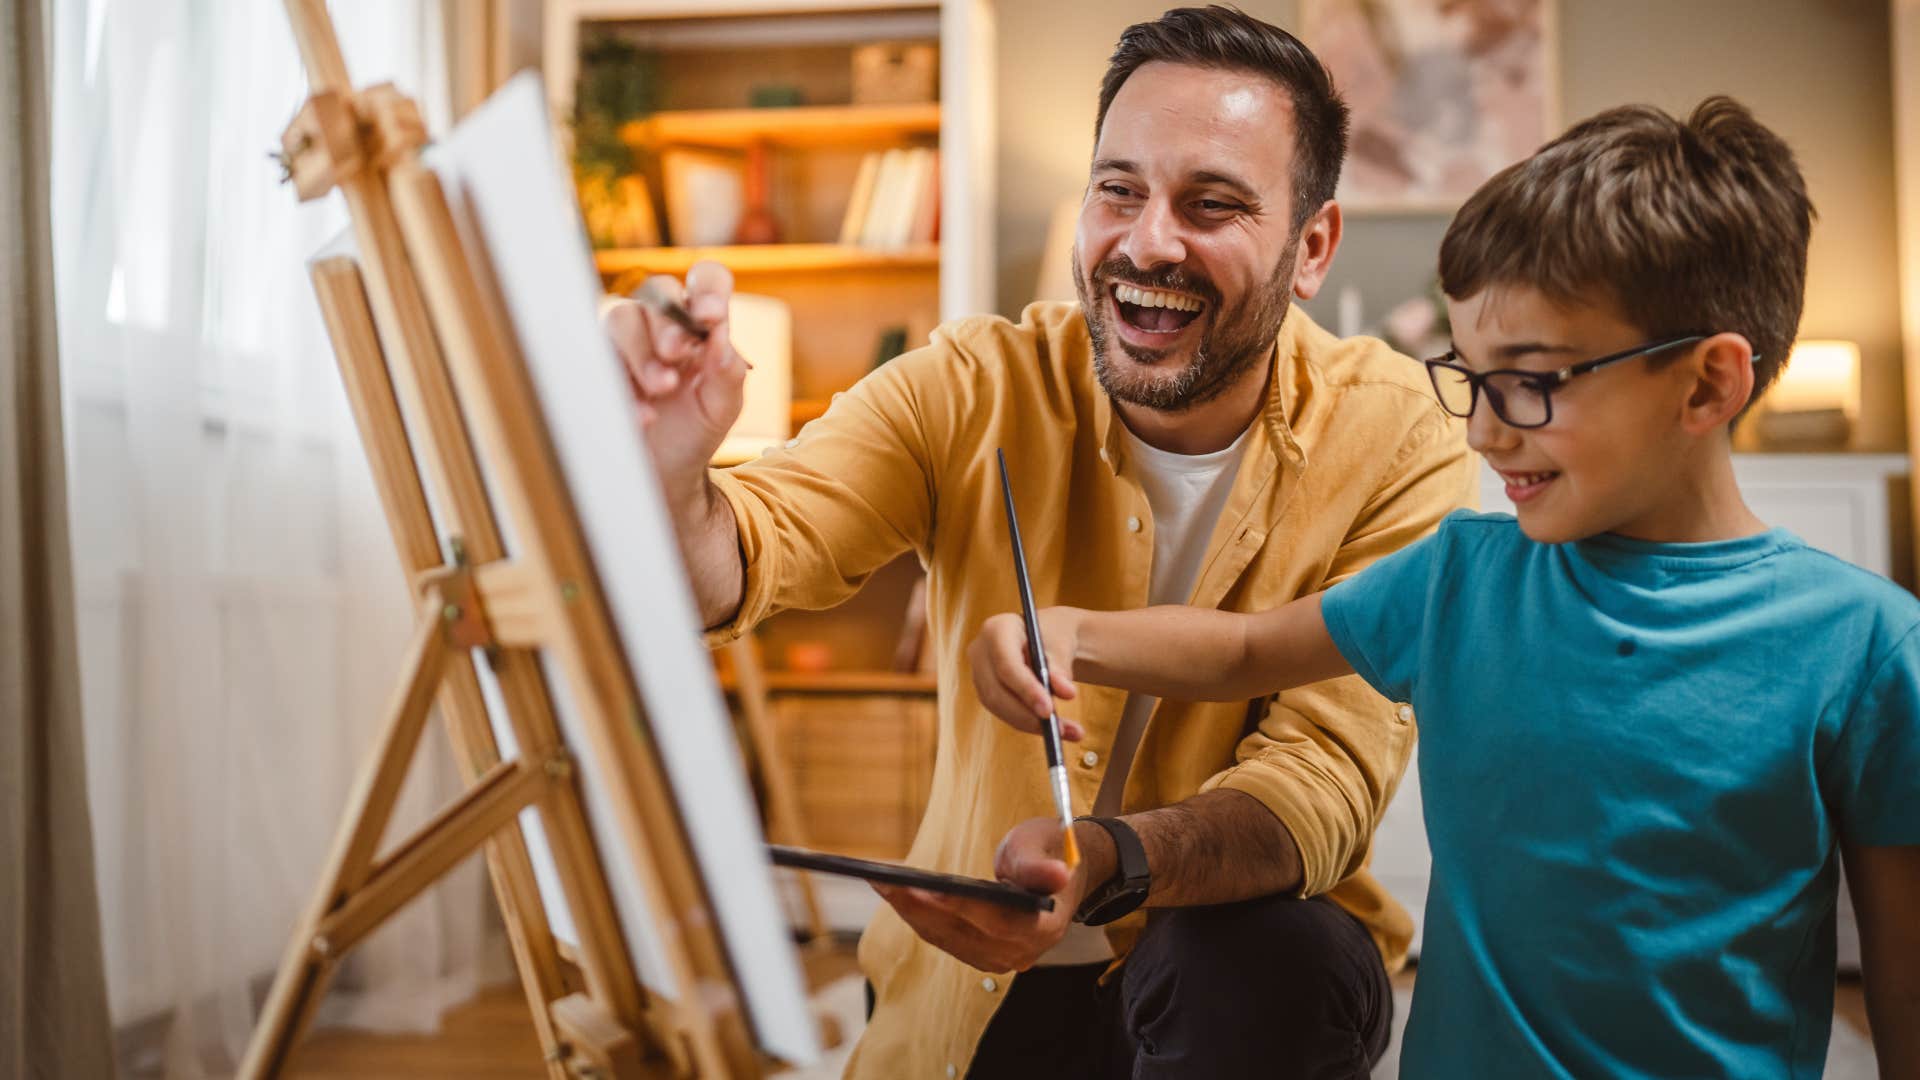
x=1614 y=456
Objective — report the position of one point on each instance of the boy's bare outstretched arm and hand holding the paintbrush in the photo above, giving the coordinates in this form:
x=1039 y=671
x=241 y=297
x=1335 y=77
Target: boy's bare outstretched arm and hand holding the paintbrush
x=1188 y=654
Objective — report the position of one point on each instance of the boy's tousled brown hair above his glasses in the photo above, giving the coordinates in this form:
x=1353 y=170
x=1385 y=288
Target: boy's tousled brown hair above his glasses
x=1689 y=228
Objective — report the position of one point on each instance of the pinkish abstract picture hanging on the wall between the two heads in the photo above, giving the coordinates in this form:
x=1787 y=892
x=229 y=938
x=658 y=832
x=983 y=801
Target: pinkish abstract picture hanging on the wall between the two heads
x=1445 y=93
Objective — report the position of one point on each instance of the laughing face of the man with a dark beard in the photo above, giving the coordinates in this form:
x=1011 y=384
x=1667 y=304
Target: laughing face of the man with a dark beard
x=1186 y=249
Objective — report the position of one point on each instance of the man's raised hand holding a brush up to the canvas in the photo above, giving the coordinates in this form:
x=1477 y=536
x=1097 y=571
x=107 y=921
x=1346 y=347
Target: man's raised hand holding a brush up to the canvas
x=690 y=391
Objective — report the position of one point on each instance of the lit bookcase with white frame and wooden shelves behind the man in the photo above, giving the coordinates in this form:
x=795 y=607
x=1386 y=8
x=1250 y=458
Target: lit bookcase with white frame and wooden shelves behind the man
x=709 y=61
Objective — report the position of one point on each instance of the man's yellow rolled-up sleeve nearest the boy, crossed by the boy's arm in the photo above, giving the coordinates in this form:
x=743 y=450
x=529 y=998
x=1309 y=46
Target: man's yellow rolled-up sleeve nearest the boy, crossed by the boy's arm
x=1328 y=758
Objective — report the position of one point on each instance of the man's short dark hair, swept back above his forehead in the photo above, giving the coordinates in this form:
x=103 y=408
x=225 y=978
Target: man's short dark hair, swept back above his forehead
x=1236 y=41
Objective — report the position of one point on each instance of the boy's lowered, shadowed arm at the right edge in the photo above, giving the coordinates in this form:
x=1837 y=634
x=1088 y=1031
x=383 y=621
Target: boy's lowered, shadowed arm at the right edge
x=1886 y=893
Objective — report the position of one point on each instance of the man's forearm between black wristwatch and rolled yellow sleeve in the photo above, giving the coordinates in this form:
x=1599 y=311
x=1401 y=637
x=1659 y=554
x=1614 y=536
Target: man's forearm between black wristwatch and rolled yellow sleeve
x=1216 y=848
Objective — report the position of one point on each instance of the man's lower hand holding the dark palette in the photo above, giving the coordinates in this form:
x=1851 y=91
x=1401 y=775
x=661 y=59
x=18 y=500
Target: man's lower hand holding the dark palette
x=999 y=939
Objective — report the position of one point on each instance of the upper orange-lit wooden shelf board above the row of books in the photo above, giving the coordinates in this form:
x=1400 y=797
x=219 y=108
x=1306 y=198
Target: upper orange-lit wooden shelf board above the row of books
x=800 y=126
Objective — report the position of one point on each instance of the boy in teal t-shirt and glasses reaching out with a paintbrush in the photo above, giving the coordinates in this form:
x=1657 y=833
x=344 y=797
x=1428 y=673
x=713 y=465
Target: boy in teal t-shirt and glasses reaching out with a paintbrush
x=1644 y=714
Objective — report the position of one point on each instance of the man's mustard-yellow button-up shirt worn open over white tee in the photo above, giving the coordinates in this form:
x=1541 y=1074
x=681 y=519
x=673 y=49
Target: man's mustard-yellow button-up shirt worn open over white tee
x=1349 y=460
